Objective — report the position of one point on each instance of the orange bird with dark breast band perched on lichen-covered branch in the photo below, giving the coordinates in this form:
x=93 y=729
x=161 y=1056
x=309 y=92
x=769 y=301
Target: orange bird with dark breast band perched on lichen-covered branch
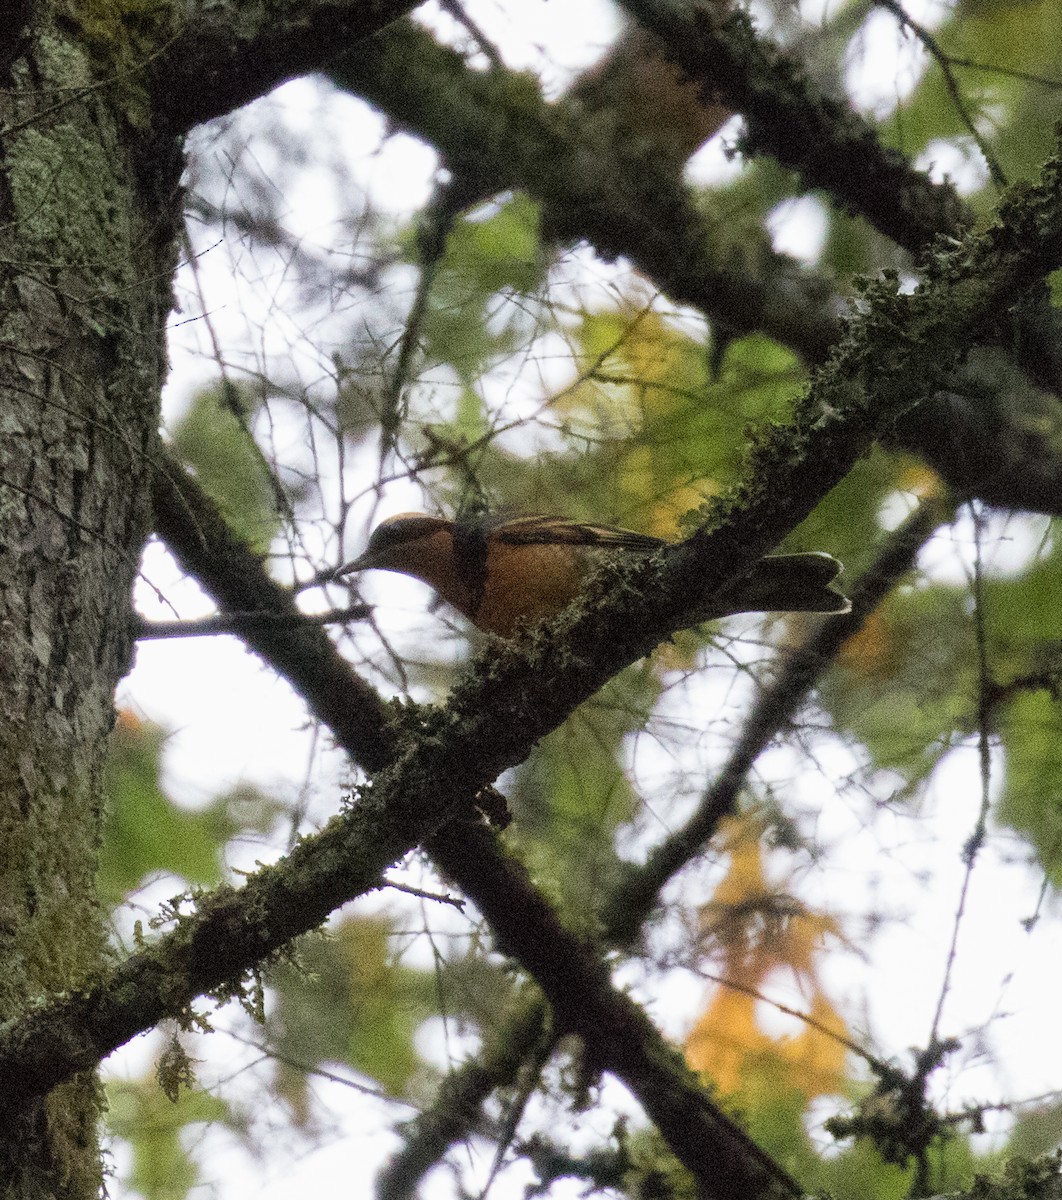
x=507 y=573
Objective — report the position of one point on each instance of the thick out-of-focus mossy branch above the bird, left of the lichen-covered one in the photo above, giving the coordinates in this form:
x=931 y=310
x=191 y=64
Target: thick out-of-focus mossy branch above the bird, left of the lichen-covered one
x=495 y=131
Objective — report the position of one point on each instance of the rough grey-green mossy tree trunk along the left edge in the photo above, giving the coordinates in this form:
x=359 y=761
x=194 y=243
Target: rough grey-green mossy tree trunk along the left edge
x=88 y=220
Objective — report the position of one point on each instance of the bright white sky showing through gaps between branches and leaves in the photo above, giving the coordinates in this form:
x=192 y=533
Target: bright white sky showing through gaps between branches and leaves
x=233 y=721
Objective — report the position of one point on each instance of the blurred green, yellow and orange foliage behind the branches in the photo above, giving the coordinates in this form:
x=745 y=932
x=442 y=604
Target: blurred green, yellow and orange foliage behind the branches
x=521 y=374
